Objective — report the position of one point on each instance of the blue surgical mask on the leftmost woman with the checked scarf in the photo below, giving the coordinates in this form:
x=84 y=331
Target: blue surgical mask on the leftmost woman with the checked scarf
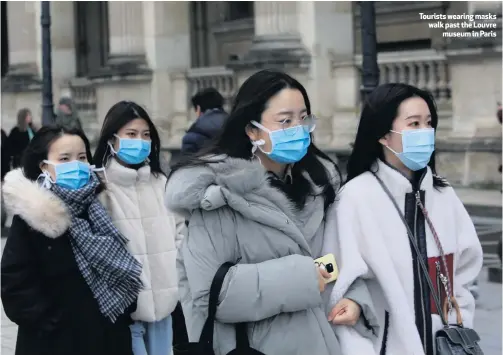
x=72 y=175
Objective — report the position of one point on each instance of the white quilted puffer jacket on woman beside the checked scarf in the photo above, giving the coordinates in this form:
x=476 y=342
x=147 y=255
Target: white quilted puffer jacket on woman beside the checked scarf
x=134 y=201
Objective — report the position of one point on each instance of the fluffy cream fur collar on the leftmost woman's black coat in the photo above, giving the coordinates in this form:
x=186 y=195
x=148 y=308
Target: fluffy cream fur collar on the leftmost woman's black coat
x=37 y=206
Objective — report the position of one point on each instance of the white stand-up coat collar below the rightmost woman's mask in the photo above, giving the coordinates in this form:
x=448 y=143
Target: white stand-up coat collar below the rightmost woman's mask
x=399 y=184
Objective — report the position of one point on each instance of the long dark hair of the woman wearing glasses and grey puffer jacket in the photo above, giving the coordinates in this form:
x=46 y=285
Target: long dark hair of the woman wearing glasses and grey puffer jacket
x=250 y=102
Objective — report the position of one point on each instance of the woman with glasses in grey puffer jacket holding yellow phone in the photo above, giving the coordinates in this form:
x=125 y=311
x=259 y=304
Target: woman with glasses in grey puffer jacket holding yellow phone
x=258 y=198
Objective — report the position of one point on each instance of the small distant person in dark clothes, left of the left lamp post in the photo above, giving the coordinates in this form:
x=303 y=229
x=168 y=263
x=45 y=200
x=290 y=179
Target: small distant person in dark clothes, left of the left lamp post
x=20 y=136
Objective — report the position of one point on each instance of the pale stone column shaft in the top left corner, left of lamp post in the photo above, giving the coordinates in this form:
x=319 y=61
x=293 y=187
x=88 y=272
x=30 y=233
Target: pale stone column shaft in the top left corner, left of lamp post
x=22 y=37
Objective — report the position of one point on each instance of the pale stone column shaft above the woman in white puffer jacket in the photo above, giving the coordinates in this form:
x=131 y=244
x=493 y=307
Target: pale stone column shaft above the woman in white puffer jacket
x=126 y=31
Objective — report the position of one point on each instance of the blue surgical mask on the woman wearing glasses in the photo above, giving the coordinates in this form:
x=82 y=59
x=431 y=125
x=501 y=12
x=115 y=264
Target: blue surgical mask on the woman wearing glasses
x=287 y=145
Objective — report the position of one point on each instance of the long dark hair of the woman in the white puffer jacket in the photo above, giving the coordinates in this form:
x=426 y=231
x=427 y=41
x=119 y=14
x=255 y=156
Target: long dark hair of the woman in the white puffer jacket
x=117 y=117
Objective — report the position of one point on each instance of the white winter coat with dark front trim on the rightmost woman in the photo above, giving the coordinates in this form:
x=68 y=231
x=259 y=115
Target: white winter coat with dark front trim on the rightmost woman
x=365 y=213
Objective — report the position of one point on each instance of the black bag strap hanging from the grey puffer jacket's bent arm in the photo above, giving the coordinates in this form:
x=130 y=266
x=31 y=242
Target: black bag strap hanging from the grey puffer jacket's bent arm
x=207 y=334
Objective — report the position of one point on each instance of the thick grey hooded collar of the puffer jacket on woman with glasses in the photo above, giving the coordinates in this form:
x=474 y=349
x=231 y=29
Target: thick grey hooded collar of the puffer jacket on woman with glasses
x=243 y=185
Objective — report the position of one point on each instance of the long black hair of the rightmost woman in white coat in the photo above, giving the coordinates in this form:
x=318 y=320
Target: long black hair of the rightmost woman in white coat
x=379 y=112
